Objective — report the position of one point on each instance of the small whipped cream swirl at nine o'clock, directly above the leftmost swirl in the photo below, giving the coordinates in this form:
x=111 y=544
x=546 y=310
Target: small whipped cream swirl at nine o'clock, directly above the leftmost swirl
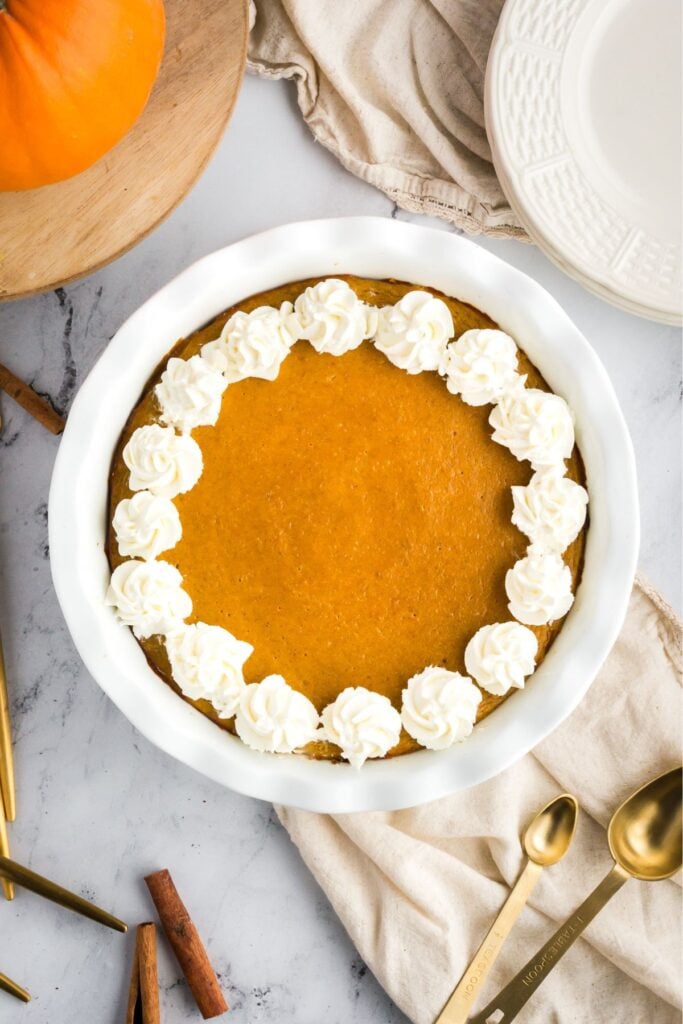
x=147 y=525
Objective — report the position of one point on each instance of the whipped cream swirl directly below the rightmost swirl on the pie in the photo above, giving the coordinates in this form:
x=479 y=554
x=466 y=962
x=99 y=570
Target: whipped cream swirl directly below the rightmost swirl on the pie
x=539 y=588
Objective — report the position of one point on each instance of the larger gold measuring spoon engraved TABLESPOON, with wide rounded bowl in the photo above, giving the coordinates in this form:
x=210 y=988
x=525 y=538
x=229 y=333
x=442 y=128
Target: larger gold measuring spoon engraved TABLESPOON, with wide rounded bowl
x=645 y=838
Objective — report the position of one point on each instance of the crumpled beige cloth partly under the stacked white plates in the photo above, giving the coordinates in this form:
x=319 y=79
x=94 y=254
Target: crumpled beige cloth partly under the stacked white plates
x=395 y=89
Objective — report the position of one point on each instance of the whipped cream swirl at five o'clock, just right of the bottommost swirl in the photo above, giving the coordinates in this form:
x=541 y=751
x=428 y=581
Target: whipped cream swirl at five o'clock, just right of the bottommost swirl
x=440 y=708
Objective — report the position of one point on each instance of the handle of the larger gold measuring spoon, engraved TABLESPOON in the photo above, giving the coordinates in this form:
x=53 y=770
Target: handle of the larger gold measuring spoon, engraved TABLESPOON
x=511 y=999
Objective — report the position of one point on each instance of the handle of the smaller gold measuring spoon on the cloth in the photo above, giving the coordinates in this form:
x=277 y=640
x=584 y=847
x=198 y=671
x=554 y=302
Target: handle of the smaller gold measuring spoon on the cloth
x=457 y=1009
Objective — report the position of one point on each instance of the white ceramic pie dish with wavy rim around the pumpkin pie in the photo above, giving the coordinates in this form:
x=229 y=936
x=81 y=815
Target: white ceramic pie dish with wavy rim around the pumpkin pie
x=374 y=248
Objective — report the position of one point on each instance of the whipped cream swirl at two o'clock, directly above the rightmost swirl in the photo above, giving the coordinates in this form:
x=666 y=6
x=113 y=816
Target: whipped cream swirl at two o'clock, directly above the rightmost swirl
x=535 y=425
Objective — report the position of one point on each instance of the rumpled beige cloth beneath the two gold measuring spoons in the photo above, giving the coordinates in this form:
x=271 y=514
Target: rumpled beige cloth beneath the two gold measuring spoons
x=417 y=890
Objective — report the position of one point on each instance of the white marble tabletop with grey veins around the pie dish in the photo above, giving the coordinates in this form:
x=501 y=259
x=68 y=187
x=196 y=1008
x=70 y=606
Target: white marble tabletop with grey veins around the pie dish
x=100 y=806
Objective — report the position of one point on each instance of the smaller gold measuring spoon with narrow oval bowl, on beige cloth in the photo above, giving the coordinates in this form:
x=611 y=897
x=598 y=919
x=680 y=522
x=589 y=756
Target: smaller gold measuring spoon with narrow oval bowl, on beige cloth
x=546 y=841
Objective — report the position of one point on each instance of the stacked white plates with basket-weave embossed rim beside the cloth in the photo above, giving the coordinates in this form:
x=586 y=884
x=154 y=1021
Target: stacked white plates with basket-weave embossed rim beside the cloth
x=584 y=117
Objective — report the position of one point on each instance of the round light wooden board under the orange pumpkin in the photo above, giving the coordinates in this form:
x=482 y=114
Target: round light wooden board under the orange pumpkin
x=51 y=236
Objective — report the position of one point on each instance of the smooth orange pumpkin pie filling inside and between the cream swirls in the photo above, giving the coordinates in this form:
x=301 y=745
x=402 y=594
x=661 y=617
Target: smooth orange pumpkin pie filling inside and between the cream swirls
x=353 y=523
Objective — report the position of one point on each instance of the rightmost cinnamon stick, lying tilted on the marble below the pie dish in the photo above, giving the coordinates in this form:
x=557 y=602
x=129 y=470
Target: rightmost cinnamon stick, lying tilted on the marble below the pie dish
x=187 y=946
